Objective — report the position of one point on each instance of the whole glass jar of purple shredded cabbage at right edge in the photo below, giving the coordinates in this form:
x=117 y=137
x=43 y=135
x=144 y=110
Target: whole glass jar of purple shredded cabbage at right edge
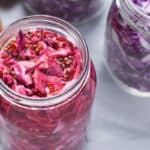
x=127 y=54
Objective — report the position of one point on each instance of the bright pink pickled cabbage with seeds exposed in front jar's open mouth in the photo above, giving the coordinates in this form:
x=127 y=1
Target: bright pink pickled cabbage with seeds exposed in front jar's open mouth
x=40 y=63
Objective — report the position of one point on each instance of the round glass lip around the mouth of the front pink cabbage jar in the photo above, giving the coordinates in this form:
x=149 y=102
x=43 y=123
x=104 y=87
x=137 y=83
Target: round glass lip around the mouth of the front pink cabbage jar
x=62 y=96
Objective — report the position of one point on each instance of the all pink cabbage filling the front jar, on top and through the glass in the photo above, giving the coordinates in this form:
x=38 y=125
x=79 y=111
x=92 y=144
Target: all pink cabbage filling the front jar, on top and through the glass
x=43 y=64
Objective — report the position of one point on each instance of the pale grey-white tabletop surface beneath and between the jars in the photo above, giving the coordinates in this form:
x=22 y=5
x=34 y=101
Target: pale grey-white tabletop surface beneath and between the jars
x=119 y=121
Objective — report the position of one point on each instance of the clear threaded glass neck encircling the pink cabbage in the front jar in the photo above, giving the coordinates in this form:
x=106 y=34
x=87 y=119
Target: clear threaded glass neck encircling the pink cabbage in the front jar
x=58 y=26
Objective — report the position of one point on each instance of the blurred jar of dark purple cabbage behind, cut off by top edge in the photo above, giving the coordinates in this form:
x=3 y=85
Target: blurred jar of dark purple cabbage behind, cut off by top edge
x=75 y=11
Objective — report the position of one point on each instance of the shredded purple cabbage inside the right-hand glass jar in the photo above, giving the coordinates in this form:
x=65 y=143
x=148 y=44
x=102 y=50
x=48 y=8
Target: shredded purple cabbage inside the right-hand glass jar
x=128 y=50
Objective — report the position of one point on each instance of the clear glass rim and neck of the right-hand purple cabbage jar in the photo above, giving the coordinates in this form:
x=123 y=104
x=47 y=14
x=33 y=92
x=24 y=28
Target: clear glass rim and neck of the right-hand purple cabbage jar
x=136 y=16
